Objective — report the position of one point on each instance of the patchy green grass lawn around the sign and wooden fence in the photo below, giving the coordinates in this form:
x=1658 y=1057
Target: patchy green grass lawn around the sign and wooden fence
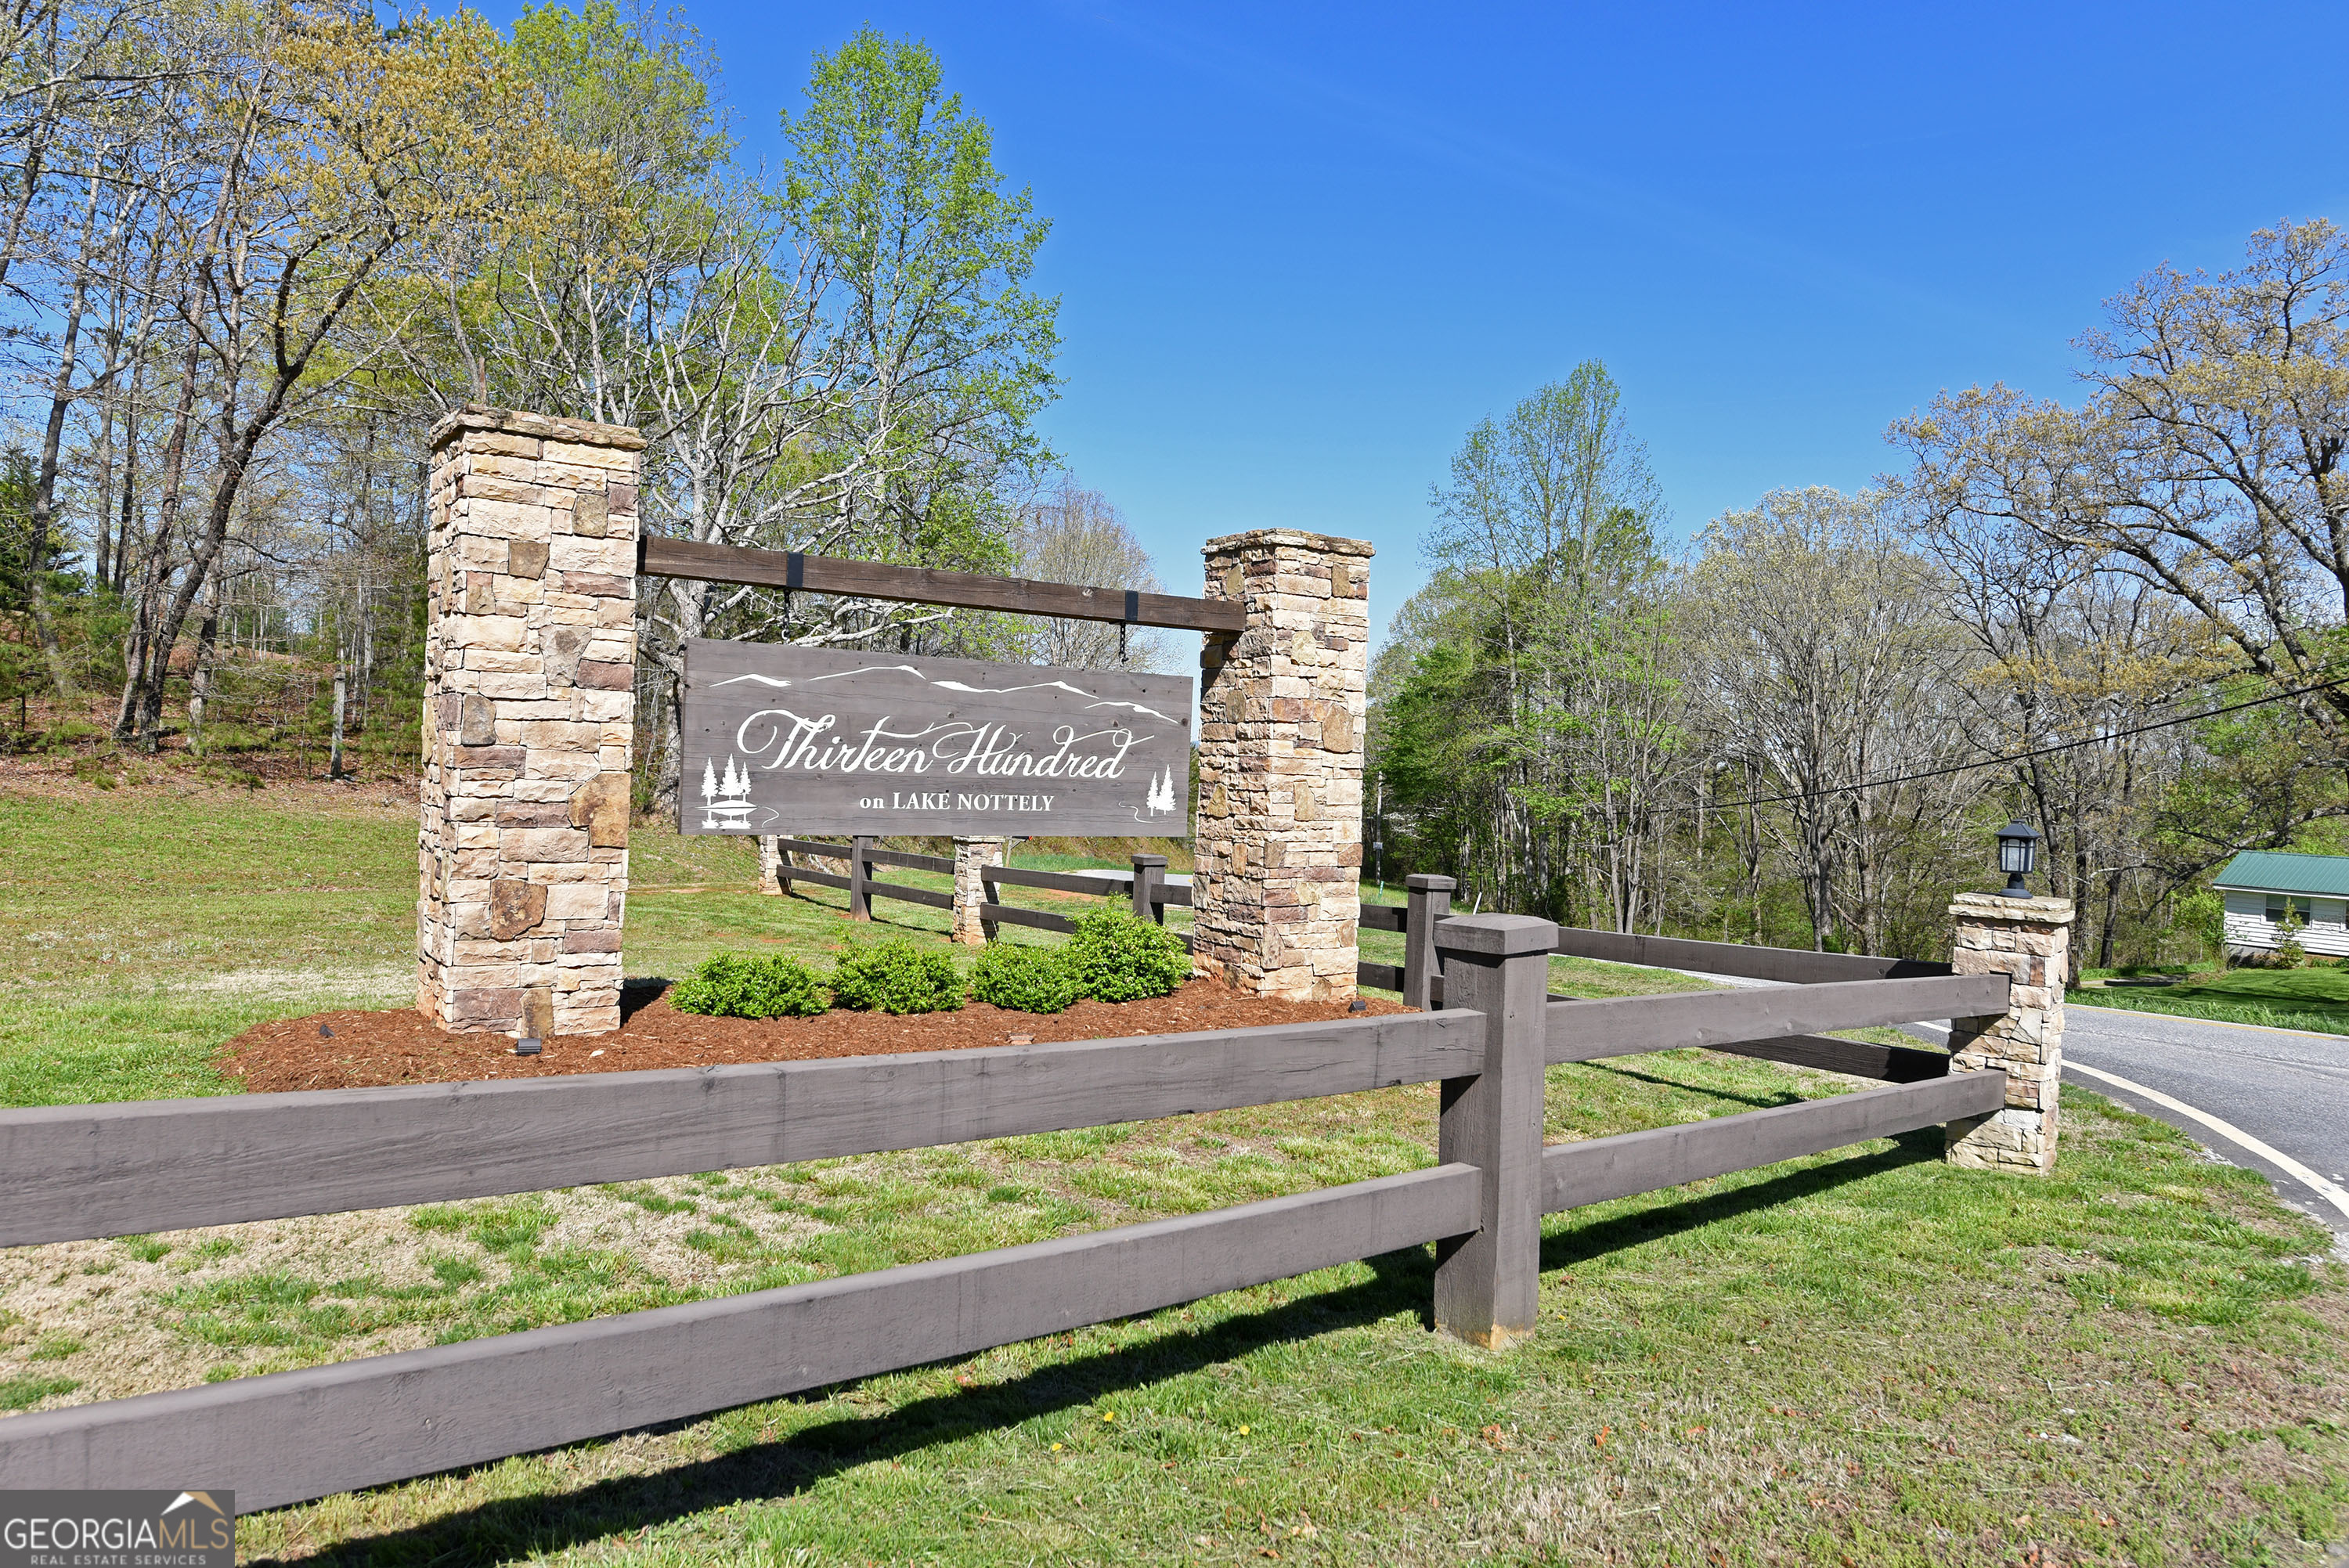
x=1862 y=1358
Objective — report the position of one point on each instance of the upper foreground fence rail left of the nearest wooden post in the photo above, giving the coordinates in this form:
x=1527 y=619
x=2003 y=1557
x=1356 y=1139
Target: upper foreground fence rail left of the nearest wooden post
x=166 y=1165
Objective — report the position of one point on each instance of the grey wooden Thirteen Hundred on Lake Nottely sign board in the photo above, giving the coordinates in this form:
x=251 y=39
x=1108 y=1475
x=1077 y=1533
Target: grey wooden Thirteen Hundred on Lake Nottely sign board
x=814 y=741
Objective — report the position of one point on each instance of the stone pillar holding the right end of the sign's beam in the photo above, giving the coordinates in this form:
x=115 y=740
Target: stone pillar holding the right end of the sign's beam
x=1277 y=891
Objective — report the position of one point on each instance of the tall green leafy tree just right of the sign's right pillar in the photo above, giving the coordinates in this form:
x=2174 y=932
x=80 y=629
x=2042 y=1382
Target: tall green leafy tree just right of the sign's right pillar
x=1559 y=717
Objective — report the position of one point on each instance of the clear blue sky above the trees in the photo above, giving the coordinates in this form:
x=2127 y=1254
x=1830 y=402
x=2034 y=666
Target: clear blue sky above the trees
x=1300 y=250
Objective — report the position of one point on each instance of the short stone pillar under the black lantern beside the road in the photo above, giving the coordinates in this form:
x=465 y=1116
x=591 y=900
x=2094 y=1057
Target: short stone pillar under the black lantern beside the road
x=2031 y=942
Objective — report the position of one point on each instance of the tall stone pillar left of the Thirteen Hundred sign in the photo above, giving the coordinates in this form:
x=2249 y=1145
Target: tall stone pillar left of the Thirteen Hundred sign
x=530 y=719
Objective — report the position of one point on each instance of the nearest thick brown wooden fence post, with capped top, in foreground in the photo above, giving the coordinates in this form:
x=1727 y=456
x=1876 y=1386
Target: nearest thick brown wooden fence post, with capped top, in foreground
x=1488 y=1285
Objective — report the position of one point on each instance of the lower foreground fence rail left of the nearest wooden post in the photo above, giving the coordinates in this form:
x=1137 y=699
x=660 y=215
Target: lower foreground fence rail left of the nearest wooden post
x=297 y=1435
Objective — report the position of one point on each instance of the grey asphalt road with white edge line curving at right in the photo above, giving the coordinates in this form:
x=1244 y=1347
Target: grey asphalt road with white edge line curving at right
x=2282 y=1088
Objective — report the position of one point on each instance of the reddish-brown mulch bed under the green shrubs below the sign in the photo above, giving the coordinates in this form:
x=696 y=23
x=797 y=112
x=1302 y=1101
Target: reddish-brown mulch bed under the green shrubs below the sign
x=401 y=1048
